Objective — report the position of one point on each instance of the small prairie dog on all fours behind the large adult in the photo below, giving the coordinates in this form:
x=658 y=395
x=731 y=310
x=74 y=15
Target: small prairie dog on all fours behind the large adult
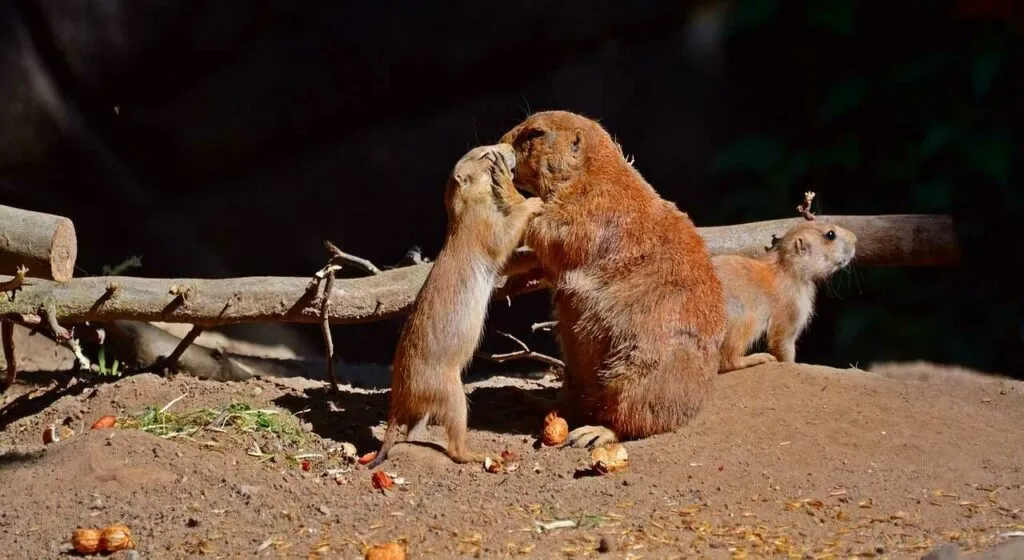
x=775 y=294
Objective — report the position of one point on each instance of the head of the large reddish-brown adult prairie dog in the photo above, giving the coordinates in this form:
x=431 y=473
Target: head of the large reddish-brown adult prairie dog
x=554 y=148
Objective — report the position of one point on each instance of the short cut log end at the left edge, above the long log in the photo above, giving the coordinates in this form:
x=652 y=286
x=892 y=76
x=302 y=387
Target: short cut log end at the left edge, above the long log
x=45 y=243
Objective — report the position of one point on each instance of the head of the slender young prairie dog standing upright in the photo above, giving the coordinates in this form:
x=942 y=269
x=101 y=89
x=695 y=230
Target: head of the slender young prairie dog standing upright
x=477 y=176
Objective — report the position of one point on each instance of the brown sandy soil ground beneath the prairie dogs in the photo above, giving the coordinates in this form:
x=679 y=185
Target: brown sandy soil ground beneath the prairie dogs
x=786 y=460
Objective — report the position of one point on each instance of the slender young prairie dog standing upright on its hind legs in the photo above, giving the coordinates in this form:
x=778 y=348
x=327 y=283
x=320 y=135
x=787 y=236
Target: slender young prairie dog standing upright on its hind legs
x=487 y=221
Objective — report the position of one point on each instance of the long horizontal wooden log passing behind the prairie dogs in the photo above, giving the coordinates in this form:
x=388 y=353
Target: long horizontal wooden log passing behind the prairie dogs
x=892 y=241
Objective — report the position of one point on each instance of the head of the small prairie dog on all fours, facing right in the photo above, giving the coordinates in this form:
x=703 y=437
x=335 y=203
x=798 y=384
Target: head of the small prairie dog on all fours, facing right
x=816 y=250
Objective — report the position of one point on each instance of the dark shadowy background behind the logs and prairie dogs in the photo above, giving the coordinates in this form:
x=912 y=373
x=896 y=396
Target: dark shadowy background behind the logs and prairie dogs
x=219 y=139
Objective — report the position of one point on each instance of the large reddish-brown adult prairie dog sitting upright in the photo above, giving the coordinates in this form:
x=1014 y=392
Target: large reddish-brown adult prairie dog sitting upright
x=641 y=312
